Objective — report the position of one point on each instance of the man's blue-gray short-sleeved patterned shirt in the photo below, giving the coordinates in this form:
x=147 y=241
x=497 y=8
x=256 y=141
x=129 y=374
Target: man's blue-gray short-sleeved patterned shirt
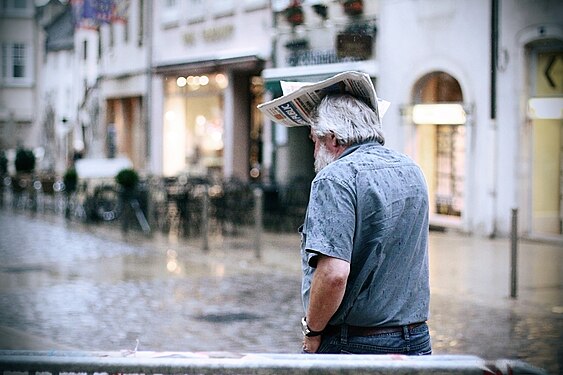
x=370 y=208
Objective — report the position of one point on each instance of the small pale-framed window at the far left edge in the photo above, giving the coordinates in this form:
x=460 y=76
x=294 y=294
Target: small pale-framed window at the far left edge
x=15 y=63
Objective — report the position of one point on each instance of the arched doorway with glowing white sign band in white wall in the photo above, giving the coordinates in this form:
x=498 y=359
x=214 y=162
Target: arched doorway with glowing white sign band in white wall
x=439 y=119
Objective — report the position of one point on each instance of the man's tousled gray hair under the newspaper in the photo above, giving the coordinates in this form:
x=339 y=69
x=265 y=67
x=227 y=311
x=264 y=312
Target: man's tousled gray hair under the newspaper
x=348 y=118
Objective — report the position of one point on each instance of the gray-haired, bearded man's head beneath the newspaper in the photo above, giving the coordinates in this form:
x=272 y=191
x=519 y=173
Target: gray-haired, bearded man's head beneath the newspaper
x=340 y=121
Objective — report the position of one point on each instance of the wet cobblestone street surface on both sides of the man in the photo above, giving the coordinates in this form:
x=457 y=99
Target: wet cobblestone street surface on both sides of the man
x=64 y=285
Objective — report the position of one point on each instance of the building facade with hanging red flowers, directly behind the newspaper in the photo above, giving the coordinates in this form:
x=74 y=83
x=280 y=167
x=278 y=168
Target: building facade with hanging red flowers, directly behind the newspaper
x=313 y=40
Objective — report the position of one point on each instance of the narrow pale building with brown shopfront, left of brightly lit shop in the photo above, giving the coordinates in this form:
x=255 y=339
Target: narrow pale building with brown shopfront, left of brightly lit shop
x=124 y=78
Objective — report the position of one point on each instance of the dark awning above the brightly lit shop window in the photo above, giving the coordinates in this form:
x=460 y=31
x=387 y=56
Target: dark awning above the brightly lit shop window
x=213 y=63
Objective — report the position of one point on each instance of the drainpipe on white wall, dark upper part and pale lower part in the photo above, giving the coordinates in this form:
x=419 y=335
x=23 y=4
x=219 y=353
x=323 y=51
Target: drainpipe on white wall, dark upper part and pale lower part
x=493 y=109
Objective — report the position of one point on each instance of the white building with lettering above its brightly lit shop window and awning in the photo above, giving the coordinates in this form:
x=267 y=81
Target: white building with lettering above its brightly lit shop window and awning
x=207 y=58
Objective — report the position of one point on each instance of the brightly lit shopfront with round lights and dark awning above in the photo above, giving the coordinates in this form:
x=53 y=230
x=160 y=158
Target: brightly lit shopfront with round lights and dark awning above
x=208 y=122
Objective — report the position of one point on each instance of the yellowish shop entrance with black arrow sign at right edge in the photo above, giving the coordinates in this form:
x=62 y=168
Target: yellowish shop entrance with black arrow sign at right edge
x=545 y=121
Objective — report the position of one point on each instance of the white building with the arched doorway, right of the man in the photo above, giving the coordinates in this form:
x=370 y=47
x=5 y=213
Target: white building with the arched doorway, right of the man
x=497 y=155
